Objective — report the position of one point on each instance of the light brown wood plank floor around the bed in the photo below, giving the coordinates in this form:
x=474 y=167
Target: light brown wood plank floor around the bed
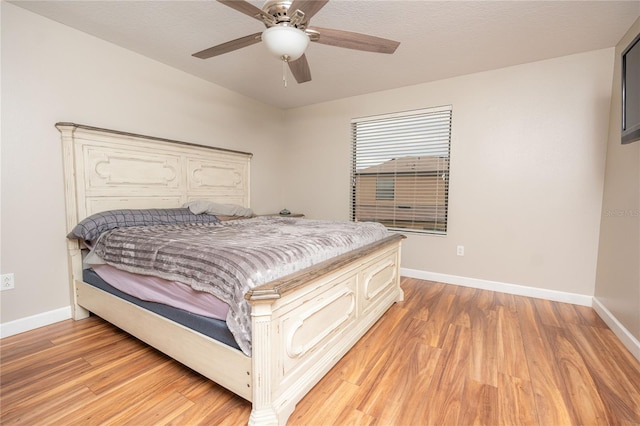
x=448 y=355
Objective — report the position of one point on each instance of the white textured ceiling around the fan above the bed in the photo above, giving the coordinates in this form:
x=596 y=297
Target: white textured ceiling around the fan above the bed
x=439 y=39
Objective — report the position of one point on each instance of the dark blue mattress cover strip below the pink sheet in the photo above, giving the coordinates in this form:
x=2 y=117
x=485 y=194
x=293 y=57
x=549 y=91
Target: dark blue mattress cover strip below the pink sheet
x=211 y=327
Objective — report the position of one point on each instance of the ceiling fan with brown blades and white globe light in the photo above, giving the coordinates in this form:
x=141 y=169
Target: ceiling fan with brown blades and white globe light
x=288 y=34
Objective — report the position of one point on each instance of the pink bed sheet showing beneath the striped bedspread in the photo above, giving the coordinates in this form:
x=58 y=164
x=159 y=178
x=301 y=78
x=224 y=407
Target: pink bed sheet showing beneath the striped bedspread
x=172 y=293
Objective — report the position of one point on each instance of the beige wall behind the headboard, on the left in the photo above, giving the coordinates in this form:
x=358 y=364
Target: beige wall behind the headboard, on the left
x=52 y=73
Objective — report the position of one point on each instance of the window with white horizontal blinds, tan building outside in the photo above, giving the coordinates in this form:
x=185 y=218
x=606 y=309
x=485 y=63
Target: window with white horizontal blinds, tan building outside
x=400 y=169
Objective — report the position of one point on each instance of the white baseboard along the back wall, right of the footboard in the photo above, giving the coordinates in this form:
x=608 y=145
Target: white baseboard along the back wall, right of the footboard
x=540 y=293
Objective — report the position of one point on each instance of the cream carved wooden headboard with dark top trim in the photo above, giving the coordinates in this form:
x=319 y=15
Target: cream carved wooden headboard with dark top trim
x=107 y=169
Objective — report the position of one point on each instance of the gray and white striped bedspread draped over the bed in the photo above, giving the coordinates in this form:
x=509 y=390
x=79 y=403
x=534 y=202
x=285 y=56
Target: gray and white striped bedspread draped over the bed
x=229 y=258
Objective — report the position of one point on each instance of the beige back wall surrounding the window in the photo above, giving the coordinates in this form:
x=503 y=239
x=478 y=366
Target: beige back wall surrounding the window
x=527 y=167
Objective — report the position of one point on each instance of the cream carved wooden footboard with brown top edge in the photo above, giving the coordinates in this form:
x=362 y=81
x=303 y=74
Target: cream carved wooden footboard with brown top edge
x=303 y=326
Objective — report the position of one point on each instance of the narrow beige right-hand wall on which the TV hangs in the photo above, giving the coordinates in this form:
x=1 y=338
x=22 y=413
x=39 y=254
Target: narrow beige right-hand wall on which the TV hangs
x=618 y=271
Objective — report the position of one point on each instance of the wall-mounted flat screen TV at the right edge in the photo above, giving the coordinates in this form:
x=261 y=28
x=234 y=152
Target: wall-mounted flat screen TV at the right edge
x=631 y=92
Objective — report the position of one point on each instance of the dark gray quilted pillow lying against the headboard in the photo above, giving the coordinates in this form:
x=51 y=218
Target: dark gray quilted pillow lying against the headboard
x=90 y=228
